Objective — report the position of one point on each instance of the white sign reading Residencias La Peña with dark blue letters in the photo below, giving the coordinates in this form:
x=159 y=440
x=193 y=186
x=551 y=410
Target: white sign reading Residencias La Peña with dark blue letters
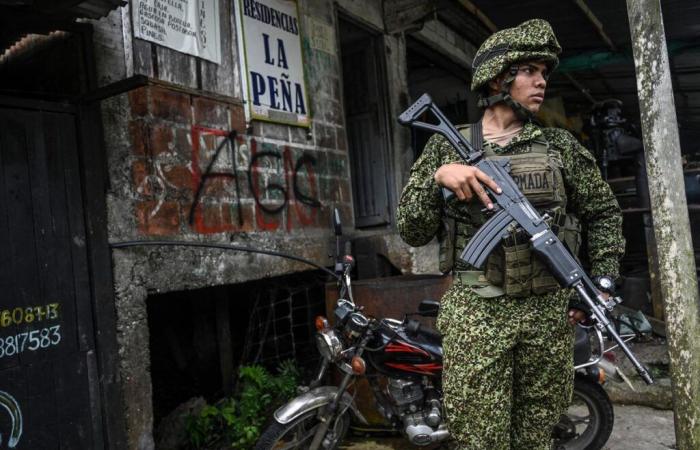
x=272 y=60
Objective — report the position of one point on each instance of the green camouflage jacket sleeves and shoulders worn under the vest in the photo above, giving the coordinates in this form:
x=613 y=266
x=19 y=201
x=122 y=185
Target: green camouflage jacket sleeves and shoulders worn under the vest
x=421 y=208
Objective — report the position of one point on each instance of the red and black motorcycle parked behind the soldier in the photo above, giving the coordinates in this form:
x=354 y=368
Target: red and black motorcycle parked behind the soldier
x=402 y=361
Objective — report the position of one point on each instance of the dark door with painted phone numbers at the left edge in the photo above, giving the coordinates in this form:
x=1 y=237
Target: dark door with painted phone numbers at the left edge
x=48 y=371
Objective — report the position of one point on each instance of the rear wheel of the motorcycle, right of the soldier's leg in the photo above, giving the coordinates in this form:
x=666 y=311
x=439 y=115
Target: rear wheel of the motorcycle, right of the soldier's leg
x=588 y=423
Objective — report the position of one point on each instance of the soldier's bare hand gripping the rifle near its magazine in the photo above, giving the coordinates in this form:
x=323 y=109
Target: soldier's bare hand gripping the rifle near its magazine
x=466 y=182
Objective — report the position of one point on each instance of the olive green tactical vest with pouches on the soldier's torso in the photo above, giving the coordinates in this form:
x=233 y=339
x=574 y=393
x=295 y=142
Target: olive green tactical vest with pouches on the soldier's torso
x=512 y=267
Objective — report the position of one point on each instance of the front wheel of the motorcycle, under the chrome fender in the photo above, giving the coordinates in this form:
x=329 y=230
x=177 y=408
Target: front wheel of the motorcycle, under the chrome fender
x=299 y=433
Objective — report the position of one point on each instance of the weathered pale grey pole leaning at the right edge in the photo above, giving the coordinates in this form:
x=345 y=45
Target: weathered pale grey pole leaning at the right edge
x=677 y=273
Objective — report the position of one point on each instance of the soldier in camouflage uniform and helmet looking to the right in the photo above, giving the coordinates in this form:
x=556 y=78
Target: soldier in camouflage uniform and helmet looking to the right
x=507 y=337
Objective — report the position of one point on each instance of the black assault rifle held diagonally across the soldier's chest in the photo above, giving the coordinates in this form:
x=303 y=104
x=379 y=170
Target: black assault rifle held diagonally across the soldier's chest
x=512 y=206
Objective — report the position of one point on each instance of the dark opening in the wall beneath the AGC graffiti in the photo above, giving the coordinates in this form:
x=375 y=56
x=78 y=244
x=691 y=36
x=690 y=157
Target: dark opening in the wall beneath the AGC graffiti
x=200 y=338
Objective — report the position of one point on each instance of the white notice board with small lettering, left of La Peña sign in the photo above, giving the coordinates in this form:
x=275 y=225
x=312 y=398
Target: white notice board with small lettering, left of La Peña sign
x=188 y=26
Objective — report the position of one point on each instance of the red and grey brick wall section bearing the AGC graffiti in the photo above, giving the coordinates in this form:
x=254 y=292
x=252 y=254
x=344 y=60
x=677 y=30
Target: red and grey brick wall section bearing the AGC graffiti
x=275 y=179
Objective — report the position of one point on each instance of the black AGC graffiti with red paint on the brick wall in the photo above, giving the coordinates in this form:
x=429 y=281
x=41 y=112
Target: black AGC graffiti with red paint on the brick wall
x=279 y=182
